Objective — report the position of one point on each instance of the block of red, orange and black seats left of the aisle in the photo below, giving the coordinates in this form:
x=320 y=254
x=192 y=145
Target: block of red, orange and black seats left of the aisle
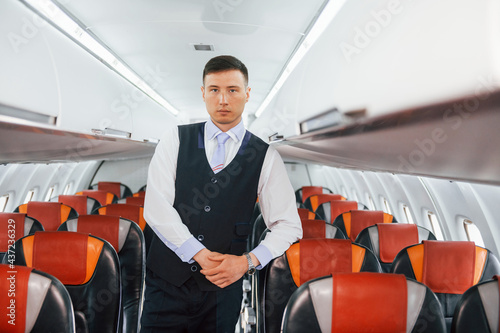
x=99 y=264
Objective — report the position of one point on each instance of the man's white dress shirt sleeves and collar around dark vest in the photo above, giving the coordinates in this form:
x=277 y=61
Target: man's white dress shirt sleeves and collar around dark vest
x=276 y=197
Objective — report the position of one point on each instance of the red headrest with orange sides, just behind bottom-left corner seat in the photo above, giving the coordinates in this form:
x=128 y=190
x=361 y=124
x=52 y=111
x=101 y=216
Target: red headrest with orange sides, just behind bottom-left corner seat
x=69 y=256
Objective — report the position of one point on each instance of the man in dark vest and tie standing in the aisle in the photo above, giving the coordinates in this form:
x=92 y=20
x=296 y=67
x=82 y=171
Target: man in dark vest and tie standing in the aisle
x=201 y=212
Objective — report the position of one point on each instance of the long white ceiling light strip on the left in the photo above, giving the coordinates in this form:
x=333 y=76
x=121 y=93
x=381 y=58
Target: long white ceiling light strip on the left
x=78 y=33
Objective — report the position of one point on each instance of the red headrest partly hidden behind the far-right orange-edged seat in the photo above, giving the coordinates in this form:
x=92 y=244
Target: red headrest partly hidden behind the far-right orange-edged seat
x=393 y=237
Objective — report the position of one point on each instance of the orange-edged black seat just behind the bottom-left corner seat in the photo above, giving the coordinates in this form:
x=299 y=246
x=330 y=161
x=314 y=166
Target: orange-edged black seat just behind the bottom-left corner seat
x=86 y=265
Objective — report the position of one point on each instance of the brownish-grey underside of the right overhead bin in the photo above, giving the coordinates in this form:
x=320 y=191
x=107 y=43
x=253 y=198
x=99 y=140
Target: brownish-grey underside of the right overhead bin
x=458 y=139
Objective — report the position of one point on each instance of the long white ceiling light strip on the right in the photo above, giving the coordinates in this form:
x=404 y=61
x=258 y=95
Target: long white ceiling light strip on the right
x=330 y=10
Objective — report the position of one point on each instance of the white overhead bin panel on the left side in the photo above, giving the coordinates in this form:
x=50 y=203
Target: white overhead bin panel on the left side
x=44 y=72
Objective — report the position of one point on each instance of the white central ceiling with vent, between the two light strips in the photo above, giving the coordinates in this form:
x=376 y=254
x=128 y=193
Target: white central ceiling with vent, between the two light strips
x=158 y=36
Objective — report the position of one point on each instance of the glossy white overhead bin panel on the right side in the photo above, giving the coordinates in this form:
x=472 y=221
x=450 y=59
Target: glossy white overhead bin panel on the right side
x=400 y=54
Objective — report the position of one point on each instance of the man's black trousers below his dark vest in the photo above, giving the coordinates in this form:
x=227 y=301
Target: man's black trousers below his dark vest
x=187 y=309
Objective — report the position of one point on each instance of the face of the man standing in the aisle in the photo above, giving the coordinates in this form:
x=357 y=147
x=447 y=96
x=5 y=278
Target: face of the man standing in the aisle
x=225 y=95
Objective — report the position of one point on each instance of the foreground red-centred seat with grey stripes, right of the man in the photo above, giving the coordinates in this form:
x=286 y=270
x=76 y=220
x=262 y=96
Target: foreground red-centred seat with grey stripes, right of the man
x=363 y=302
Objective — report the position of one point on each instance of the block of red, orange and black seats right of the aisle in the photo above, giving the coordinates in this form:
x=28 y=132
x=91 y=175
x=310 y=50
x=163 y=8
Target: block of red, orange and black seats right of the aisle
x=322 y=263
